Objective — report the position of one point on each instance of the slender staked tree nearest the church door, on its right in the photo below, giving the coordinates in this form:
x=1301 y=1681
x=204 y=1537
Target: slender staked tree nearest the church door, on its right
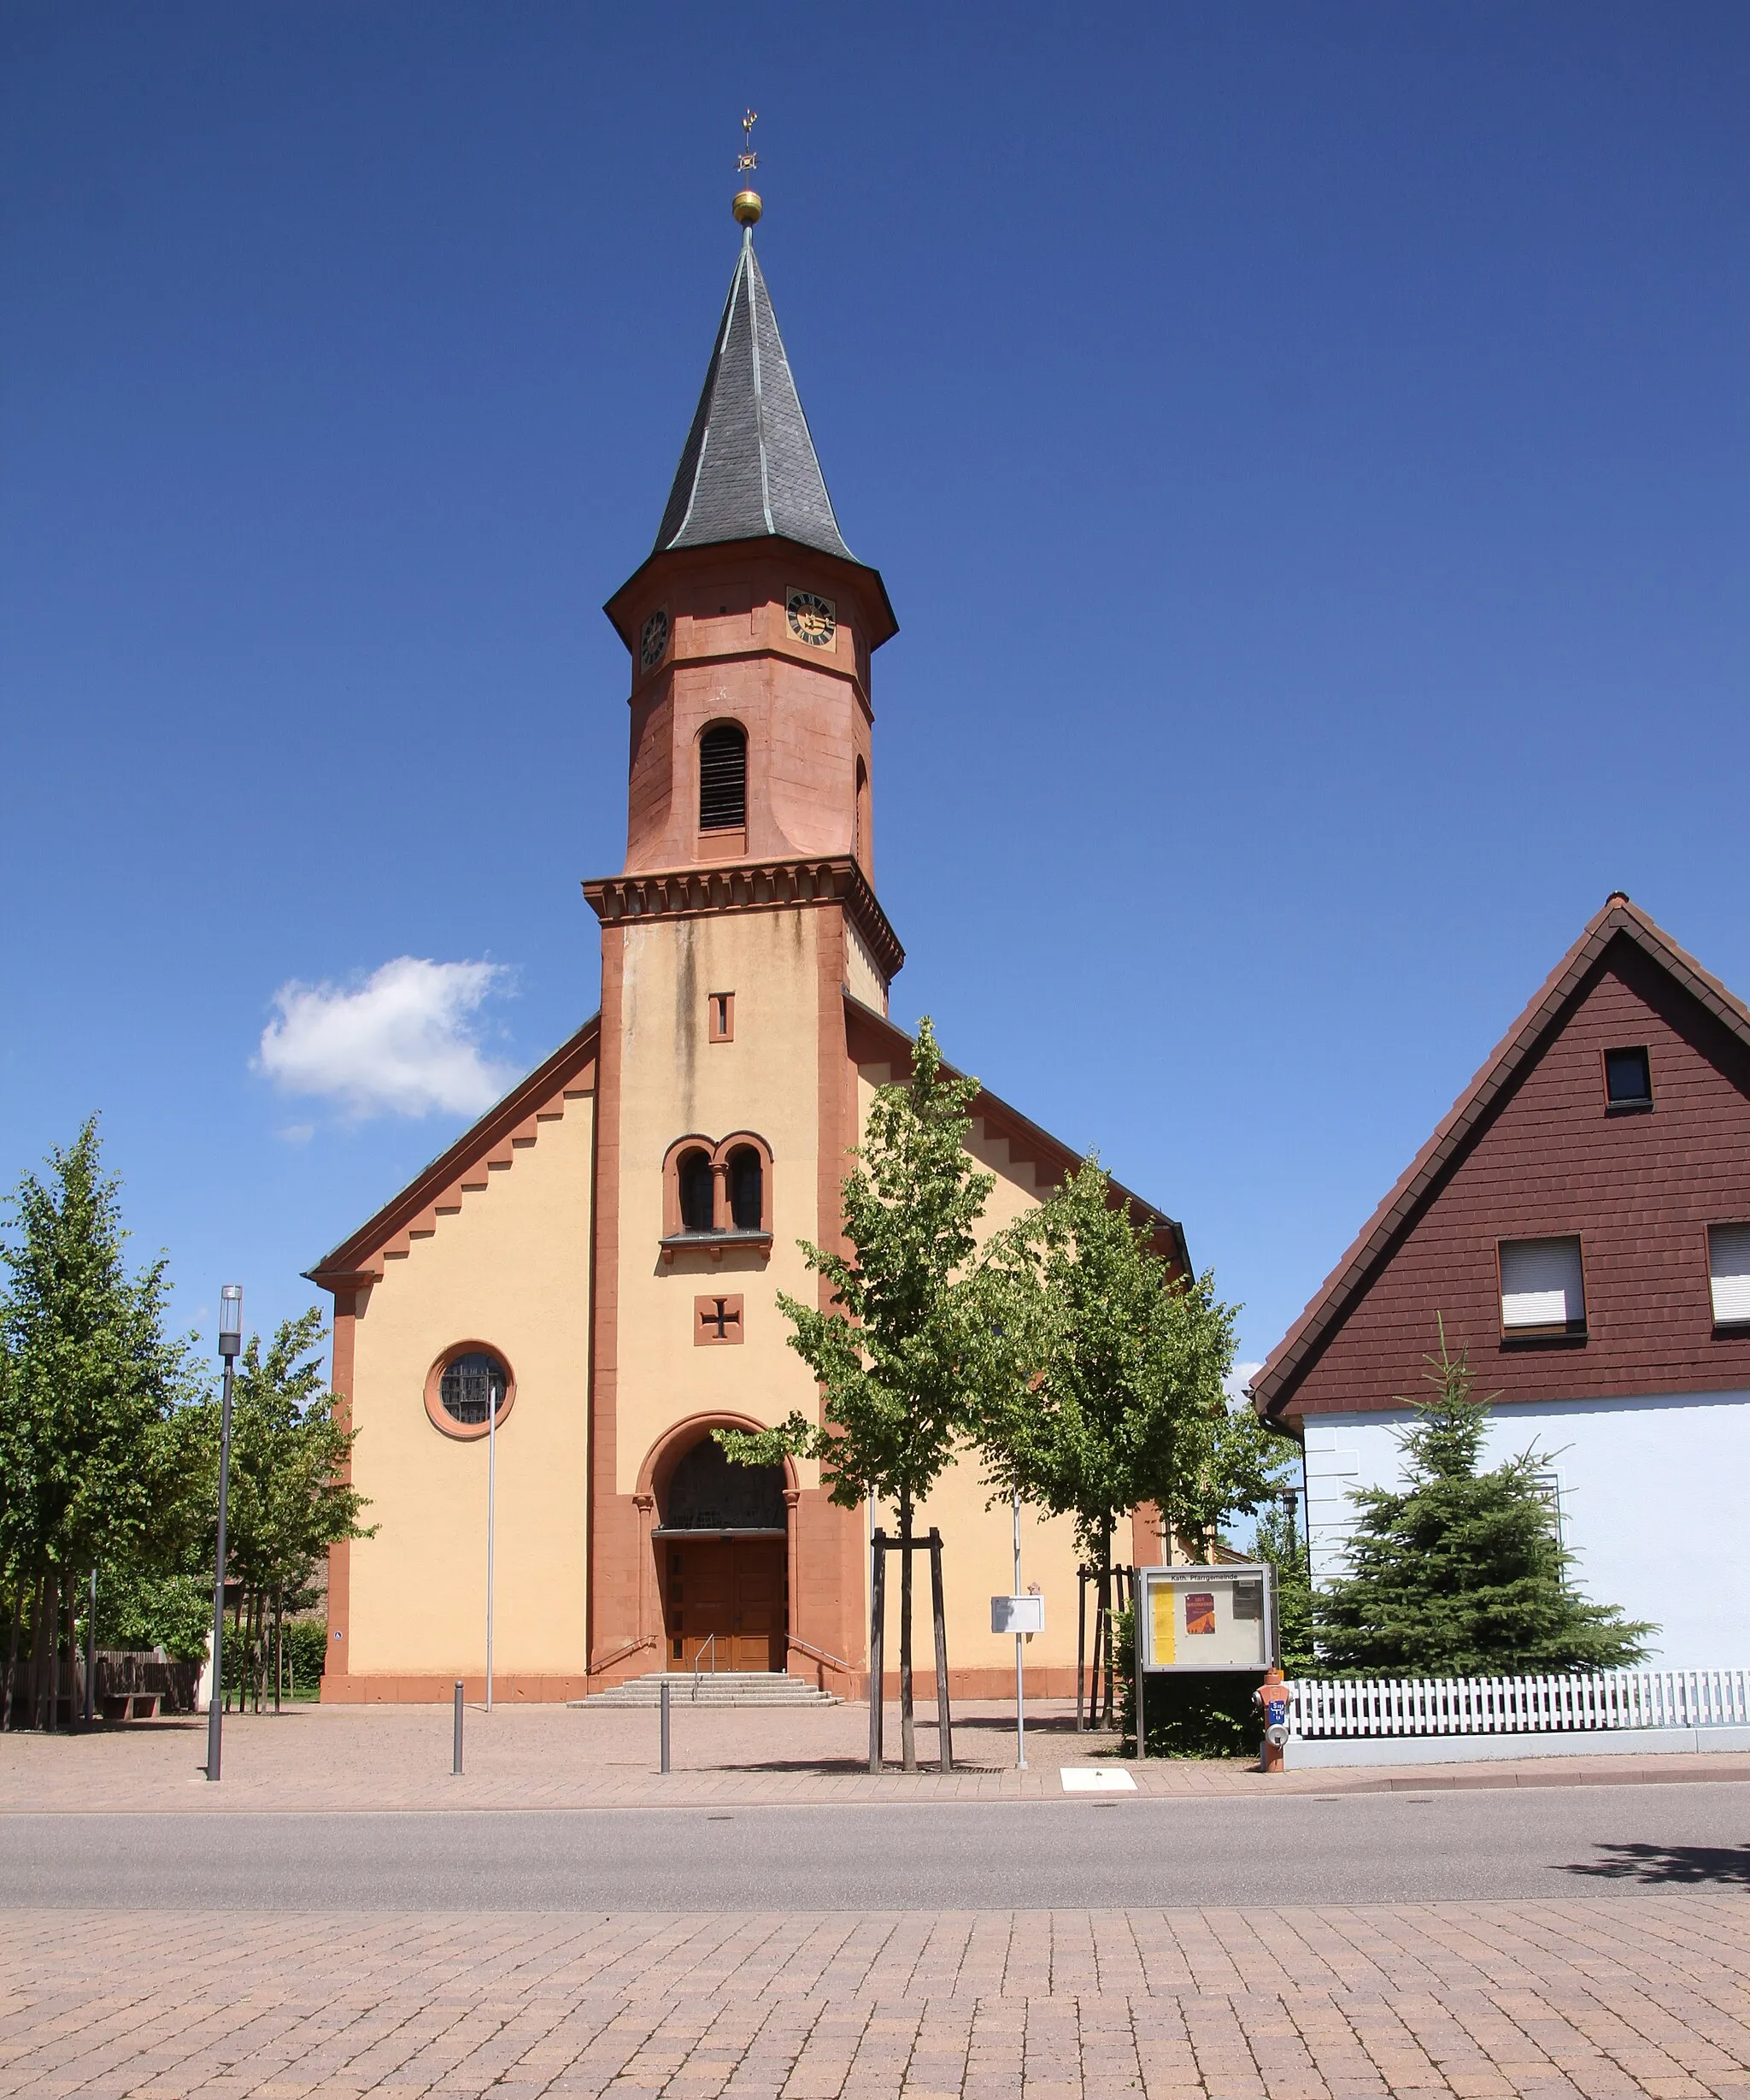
x=920 y=1328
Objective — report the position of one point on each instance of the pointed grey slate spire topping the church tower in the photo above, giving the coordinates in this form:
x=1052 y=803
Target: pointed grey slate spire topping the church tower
x=748 y=467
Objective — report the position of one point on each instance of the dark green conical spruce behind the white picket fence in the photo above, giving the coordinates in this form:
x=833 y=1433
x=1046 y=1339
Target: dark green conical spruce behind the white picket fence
x=1461 y=1572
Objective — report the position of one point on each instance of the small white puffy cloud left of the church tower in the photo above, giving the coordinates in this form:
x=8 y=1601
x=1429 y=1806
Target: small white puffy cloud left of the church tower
x=404 y=1043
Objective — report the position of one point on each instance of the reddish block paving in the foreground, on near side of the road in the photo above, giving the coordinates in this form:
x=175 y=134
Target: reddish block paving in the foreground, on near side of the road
x=1589 y=1998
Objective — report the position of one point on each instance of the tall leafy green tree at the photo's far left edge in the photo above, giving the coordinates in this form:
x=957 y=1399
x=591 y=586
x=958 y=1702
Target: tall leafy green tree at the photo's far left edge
x=91 y=1389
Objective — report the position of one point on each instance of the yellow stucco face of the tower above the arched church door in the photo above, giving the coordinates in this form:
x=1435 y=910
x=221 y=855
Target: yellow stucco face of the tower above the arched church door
x=679 y=1083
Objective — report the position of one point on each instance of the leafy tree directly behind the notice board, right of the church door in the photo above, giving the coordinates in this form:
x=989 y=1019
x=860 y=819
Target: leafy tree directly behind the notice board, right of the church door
x=1128 y=1406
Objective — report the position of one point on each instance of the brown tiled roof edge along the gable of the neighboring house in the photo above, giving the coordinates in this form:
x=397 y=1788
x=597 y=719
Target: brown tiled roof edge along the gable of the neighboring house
x=1619 y=921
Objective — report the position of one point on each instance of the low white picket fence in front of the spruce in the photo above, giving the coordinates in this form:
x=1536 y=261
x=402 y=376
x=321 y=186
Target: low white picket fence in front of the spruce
x=1520 y=1706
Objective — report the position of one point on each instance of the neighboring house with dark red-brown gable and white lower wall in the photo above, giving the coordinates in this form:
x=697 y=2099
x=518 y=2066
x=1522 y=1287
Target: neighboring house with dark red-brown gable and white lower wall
x=1583 y=1225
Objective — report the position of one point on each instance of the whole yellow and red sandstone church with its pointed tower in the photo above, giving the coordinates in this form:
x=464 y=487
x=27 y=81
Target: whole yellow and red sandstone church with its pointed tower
x=593 y=1269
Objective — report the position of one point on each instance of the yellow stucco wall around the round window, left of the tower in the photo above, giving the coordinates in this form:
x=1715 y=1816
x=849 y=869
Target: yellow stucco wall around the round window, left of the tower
x=511 y=1269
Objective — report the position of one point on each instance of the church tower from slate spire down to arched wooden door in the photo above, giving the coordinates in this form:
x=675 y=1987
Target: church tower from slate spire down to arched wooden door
x=731 y=940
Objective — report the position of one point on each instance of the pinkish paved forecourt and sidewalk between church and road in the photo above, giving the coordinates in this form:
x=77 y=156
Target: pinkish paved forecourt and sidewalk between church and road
x=396 y=1757
